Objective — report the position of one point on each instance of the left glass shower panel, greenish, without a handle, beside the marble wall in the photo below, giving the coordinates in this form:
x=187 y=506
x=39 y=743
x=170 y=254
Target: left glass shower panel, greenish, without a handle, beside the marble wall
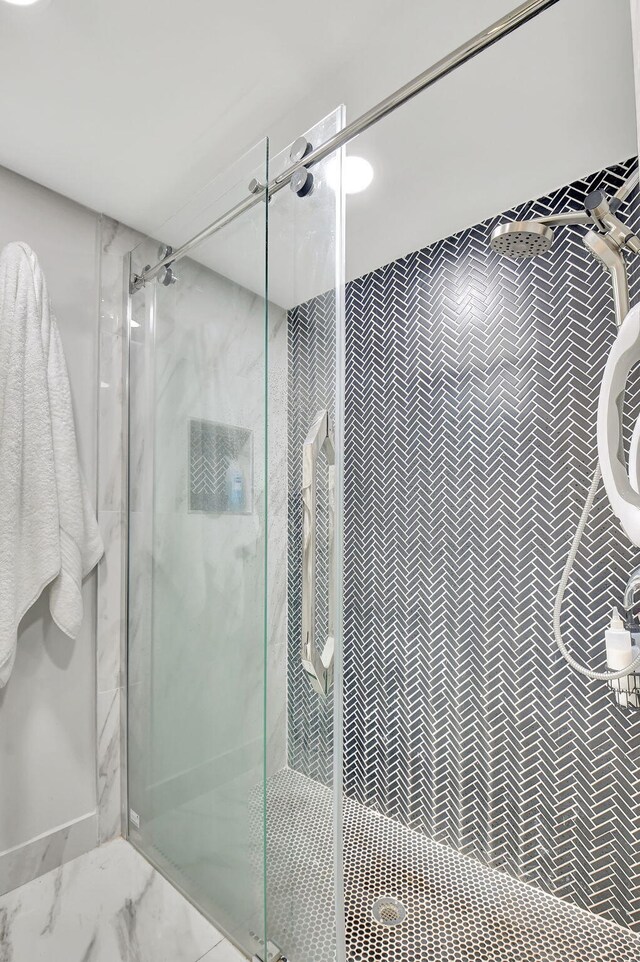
x=197 y=520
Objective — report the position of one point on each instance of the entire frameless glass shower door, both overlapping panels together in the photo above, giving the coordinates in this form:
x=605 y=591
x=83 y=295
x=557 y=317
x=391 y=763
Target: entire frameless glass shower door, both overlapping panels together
x=235 y=535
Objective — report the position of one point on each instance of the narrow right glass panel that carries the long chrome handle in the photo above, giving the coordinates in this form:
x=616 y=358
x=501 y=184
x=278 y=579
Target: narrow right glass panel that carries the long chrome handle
x=304 y=777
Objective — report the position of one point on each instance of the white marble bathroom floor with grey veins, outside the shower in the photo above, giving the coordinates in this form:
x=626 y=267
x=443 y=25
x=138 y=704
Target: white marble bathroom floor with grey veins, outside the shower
x=109 y=905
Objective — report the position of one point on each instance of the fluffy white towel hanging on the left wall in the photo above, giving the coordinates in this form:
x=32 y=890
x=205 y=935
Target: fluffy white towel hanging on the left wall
x=48 y=531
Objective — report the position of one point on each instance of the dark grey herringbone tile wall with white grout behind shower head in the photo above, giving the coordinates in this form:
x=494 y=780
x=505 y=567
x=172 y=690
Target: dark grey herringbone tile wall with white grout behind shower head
x=472 y=384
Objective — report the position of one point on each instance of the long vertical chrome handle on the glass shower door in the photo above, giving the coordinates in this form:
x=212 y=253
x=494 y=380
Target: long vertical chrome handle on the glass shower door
x=318 y=665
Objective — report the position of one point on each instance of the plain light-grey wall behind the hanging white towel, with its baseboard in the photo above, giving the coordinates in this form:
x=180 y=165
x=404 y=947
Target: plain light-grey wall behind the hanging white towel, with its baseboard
x=47 y=709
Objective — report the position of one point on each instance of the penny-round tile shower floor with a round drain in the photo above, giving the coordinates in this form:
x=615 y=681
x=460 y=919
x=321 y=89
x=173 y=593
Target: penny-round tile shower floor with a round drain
x=433 y=905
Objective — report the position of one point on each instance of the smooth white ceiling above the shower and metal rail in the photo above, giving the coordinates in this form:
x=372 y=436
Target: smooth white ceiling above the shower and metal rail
x=131 y=107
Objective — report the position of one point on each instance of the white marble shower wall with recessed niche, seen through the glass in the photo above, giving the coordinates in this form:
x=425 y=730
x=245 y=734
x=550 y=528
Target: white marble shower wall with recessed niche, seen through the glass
x=203 y=358
